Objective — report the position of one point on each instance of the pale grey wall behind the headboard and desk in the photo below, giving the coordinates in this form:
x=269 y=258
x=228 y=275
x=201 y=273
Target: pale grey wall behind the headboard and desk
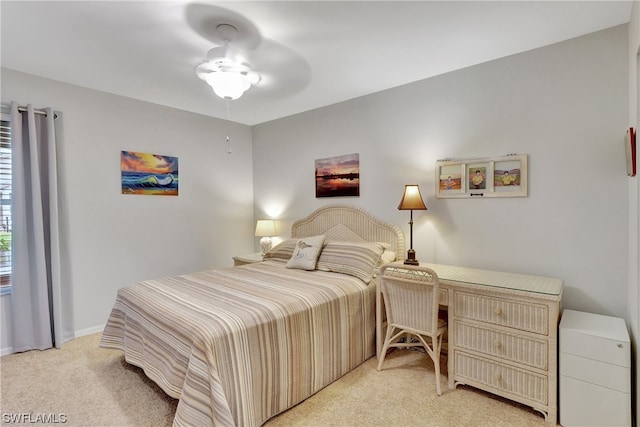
x=564 y=105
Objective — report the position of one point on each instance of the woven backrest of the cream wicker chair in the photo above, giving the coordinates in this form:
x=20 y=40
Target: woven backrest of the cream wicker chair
x=411 y=297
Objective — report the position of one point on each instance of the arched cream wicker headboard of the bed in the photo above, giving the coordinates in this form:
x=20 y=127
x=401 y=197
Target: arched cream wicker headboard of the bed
x=349 y=224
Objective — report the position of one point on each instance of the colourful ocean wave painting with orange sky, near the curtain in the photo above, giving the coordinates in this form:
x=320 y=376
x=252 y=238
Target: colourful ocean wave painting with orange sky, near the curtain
x=151 y=174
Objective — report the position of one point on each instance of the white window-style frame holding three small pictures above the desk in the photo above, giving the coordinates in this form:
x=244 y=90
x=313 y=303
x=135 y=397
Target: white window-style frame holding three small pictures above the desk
x=487 y=177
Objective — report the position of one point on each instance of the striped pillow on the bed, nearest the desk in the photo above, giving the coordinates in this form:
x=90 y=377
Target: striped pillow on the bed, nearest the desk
x=353 y=258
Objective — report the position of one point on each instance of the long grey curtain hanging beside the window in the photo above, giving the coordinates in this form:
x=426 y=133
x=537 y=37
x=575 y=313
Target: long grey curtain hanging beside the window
x=40 y=303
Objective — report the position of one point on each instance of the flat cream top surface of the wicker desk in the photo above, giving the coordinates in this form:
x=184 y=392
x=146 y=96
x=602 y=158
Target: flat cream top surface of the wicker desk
x=497 y=279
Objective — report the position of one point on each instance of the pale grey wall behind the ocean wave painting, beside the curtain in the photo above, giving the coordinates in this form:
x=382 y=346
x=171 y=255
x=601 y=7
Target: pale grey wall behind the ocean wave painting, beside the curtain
x=110 y=239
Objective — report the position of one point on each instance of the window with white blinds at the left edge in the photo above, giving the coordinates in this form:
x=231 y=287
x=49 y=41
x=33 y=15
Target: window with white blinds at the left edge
x=5 y=205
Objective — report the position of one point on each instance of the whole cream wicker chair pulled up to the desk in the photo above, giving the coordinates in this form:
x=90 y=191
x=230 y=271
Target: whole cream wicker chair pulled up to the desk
x=411 y=300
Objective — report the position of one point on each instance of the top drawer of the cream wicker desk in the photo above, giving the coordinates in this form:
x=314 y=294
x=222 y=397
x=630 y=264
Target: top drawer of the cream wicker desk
x=516 y=314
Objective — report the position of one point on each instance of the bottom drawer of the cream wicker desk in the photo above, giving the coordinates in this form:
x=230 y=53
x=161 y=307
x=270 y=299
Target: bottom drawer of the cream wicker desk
x=513 y=382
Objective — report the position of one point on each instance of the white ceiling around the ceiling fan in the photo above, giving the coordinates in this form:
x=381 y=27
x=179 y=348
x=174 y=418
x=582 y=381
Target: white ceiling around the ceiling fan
x=310 y=53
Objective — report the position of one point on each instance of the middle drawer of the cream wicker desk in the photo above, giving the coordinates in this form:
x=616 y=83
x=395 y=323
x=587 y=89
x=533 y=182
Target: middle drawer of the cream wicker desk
x=511 y=347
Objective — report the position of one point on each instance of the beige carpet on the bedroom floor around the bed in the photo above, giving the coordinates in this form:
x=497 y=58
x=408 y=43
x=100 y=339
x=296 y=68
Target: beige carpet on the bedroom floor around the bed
x=89 y=386
